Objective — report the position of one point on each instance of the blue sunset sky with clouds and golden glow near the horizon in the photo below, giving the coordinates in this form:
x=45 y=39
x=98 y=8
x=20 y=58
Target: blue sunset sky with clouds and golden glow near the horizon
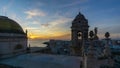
x=51 y=19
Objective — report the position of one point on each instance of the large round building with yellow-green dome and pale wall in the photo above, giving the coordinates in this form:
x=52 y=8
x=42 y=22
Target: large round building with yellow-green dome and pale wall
x=13 y=40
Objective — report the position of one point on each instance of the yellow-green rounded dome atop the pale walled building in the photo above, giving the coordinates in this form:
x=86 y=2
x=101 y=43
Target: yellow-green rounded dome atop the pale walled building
x=9 y=26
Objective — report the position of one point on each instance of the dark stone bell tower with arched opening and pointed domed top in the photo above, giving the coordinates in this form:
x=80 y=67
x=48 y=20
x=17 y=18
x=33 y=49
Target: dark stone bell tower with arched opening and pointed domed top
x=79 y=32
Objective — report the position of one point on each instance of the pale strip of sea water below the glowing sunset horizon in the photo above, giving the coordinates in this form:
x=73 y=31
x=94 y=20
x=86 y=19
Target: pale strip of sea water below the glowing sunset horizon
x=37 y=43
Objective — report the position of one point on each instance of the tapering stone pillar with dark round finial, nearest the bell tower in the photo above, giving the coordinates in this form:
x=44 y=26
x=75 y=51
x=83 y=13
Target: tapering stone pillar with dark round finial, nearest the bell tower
x=91 y=60
